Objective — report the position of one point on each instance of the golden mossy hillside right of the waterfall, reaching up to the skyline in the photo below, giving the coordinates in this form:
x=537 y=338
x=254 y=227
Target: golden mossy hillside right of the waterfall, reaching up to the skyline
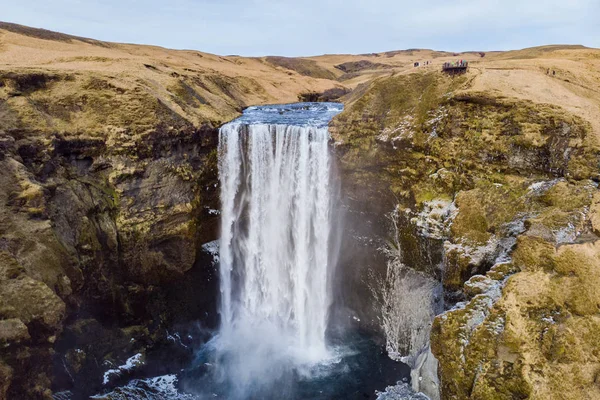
x=513 y=146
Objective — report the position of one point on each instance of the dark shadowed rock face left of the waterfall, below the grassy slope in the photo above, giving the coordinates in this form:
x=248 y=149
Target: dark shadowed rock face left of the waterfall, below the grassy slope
x=99 y=237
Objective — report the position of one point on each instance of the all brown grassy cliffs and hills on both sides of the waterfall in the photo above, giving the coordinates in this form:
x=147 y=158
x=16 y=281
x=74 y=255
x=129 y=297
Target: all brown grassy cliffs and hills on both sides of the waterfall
x=482 y=188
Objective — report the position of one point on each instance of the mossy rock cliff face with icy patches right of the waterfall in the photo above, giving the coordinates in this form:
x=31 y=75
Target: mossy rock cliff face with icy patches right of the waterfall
x=491 y=195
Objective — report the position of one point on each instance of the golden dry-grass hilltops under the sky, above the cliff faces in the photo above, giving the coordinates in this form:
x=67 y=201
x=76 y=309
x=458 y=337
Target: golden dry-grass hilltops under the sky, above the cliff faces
x=201 y=87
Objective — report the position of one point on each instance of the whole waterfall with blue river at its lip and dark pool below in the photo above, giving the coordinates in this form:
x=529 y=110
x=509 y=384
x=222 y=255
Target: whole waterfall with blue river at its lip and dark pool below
x=277 y=258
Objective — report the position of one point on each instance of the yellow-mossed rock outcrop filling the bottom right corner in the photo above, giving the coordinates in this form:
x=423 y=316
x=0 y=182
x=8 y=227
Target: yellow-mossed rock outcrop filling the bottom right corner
x=531 y=334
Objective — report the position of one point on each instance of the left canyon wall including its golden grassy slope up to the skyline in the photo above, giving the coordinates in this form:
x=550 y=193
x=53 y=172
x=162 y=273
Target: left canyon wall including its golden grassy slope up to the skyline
x=109 y=205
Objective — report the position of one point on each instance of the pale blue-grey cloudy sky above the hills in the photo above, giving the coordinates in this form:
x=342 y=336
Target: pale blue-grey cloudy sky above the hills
x=310 y=27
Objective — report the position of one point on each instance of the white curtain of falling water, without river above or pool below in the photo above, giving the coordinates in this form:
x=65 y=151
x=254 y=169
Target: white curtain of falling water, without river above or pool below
x=275 y=248
